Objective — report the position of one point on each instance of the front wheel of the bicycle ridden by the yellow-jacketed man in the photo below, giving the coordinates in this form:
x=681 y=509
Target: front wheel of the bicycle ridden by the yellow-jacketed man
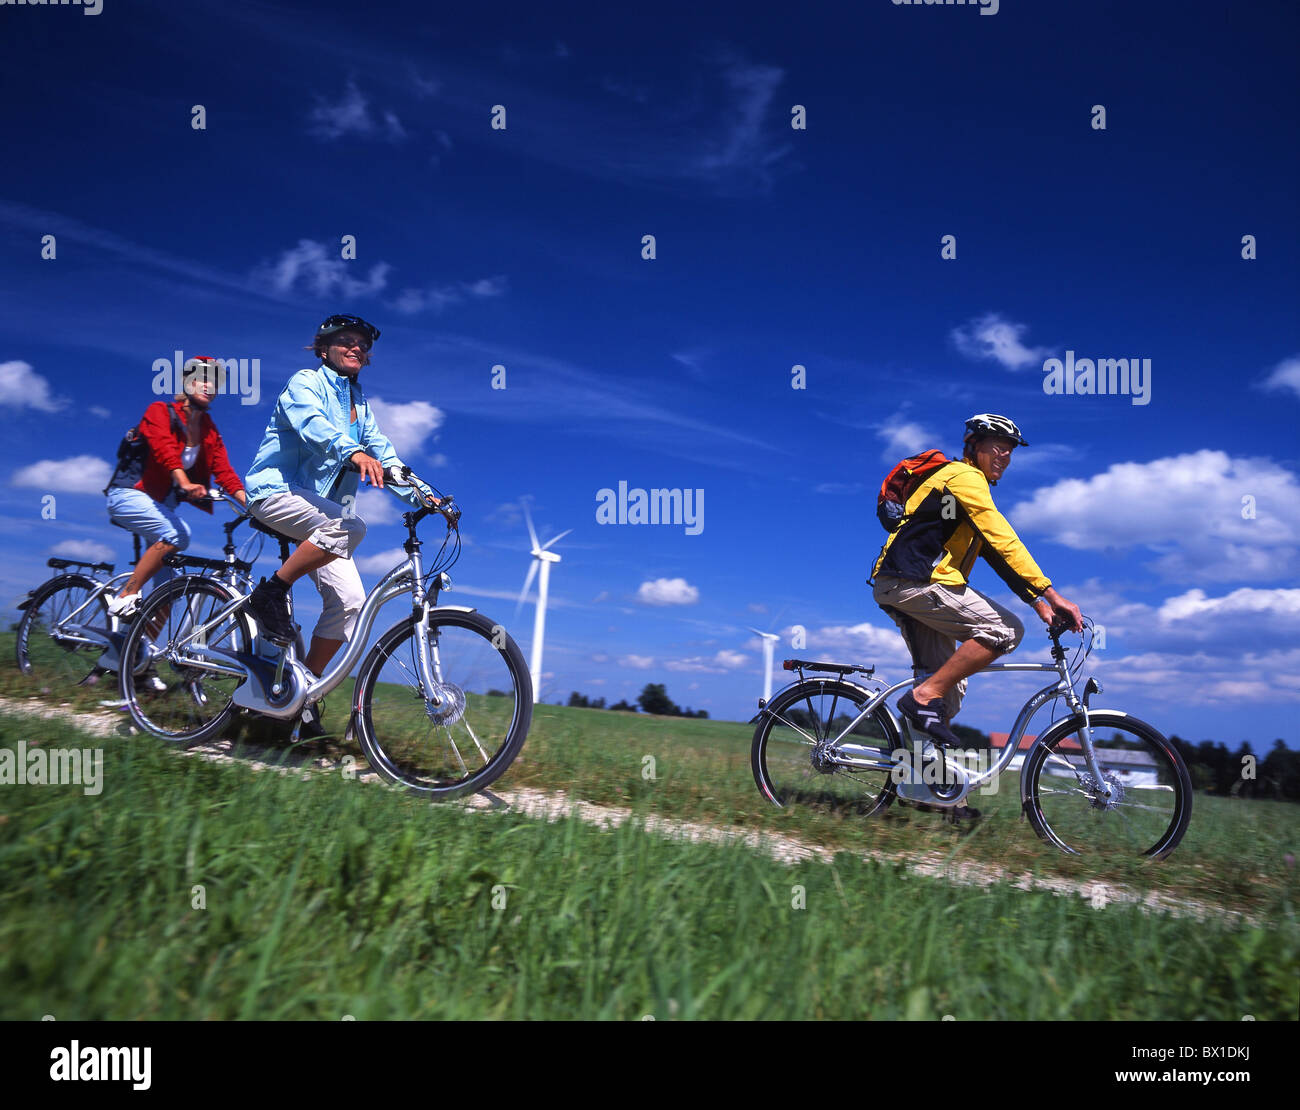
x=1146 y=810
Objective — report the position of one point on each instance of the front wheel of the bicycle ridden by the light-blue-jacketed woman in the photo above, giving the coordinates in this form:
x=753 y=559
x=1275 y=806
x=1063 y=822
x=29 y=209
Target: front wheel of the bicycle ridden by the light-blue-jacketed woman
x=461 y=736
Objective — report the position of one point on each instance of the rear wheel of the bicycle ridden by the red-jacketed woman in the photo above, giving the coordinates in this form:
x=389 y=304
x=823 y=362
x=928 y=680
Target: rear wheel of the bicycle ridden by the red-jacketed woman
x=63 y=631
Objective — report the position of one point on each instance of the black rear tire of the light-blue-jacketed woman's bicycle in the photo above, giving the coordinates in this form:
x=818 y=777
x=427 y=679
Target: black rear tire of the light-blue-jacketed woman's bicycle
x=148 y=710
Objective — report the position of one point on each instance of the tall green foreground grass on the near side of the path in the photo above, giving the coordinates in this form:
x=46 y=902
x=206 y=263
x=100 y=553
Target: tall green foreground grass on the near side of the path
x=327 y=897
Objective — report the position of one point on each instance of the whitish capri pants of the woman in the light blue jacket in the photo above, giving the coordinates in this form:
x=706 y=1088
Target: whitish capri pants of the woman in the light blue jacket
x=305 y=515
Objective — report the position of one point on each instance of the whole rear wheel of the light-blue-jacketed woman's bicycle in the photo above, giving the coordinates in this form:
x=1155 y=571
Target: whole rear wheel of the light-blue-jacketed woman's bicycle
x=197 y=701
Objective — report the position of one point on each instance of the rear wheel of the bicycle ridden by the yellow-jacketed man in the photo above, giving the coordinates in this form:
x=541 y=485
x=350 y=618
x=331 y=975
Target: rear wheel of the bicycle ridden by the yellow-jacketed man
x=791 y=756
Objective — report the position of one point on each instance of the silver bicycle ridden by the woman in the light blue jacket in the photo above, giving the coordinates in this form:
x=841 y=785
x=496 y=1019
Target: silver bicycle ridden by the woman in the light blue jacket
x=441 y=704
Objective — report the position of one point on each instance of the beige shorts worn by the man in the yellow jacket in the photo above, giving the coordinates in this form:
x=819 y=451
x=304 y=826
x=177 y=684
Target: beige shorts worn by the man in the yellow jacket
x=934 y=618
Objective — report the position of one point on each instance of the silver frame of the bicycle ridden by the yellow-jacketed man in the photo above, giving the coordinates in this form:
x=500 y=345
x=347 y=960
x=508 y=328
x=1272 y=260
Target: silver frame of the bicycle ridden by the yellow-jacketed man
x=855 y=756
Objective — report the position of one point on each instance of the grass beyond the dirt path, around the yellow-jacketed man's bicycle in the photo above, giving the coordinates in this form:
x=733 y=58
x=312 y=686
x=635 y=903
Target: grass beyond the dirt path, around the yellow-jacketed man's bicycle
x=1233 y=855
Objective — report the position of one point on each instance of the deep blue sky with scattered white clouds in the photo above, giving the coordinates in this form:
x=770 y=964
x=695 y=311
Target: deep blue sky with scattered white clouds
x=775 y=248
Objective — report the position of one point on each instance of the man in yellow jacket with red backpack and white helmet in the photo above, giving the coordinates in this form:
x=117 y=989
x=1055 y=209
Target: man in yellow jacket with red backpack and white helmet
x=922 y=576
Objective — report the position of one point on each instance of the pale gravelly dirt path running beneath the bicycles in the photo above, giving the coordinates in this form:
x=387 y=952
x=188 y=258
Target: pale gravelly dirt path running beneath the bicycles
x=556 y=805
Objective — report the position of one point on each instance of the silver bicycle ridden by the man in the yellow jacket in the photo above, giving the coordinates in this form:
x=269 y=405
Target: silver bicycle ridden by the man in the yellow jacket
x=1097 y=783
